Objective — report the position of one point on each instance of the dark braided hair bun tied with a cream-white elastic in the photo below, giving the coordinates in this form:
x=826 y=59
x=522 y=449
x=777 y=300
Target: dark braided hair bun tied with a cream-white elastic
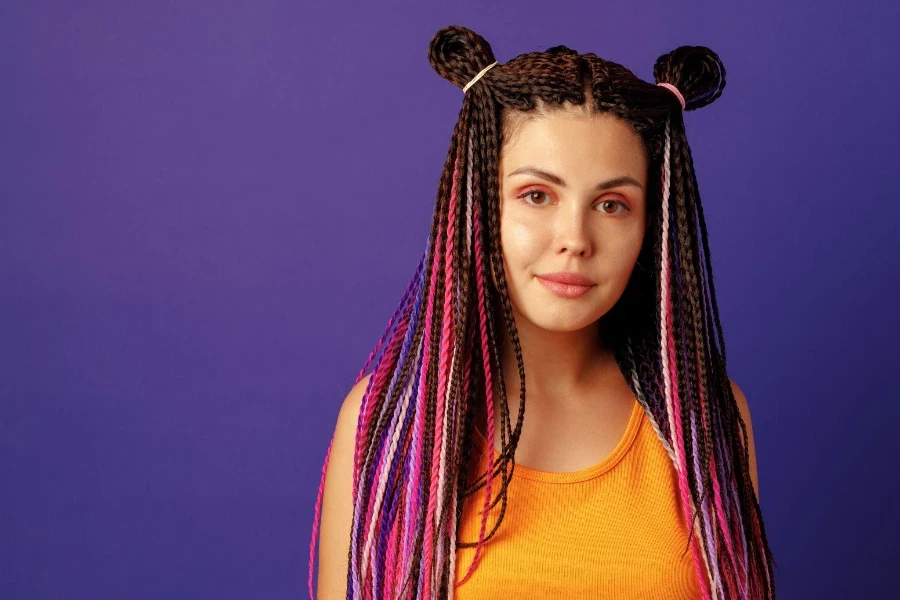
x=458 y=54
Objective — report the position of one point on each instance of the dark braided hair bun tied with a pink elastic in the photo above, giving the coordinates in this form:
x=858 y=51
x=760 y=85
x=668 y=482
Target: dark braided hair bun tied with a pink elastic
x=696 y=71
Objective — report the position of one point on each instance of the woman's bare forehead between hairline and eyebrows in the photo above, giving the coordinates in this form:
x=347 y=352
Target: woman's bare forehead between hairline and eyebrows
x=575 y=146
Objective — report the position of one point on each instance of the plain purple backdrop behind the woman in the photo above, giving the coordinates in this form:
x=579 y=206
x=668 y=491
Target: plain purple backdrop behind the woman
x=210 y=210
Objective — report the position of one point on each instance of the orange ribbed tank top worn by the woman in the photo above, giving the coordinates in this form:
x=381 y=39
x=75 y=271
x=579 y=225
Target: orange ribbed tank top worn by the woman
x=612 y=530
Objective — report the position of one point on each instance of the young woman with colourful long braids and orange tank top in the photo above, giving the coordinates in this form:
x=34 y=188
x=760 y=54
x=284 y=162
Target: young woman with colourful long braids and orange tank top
x=567 y=257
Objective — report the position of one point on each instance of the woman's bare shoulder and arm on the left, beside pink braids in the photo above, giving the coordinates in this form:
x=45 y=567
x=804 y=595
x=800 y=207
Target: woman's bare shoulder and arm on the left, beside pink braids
x=337 y=500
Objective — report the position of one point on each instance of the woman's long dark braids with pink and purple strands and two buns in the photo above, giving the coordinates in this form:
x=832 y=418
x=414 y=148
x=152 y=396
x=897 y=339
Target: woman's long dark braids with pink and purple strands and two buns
x=439 y=355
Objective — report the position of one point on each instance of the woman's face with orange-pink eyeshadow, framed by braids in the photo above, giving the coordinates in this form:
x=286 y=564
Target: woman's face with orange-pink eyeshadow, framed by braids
x=572 y=199
